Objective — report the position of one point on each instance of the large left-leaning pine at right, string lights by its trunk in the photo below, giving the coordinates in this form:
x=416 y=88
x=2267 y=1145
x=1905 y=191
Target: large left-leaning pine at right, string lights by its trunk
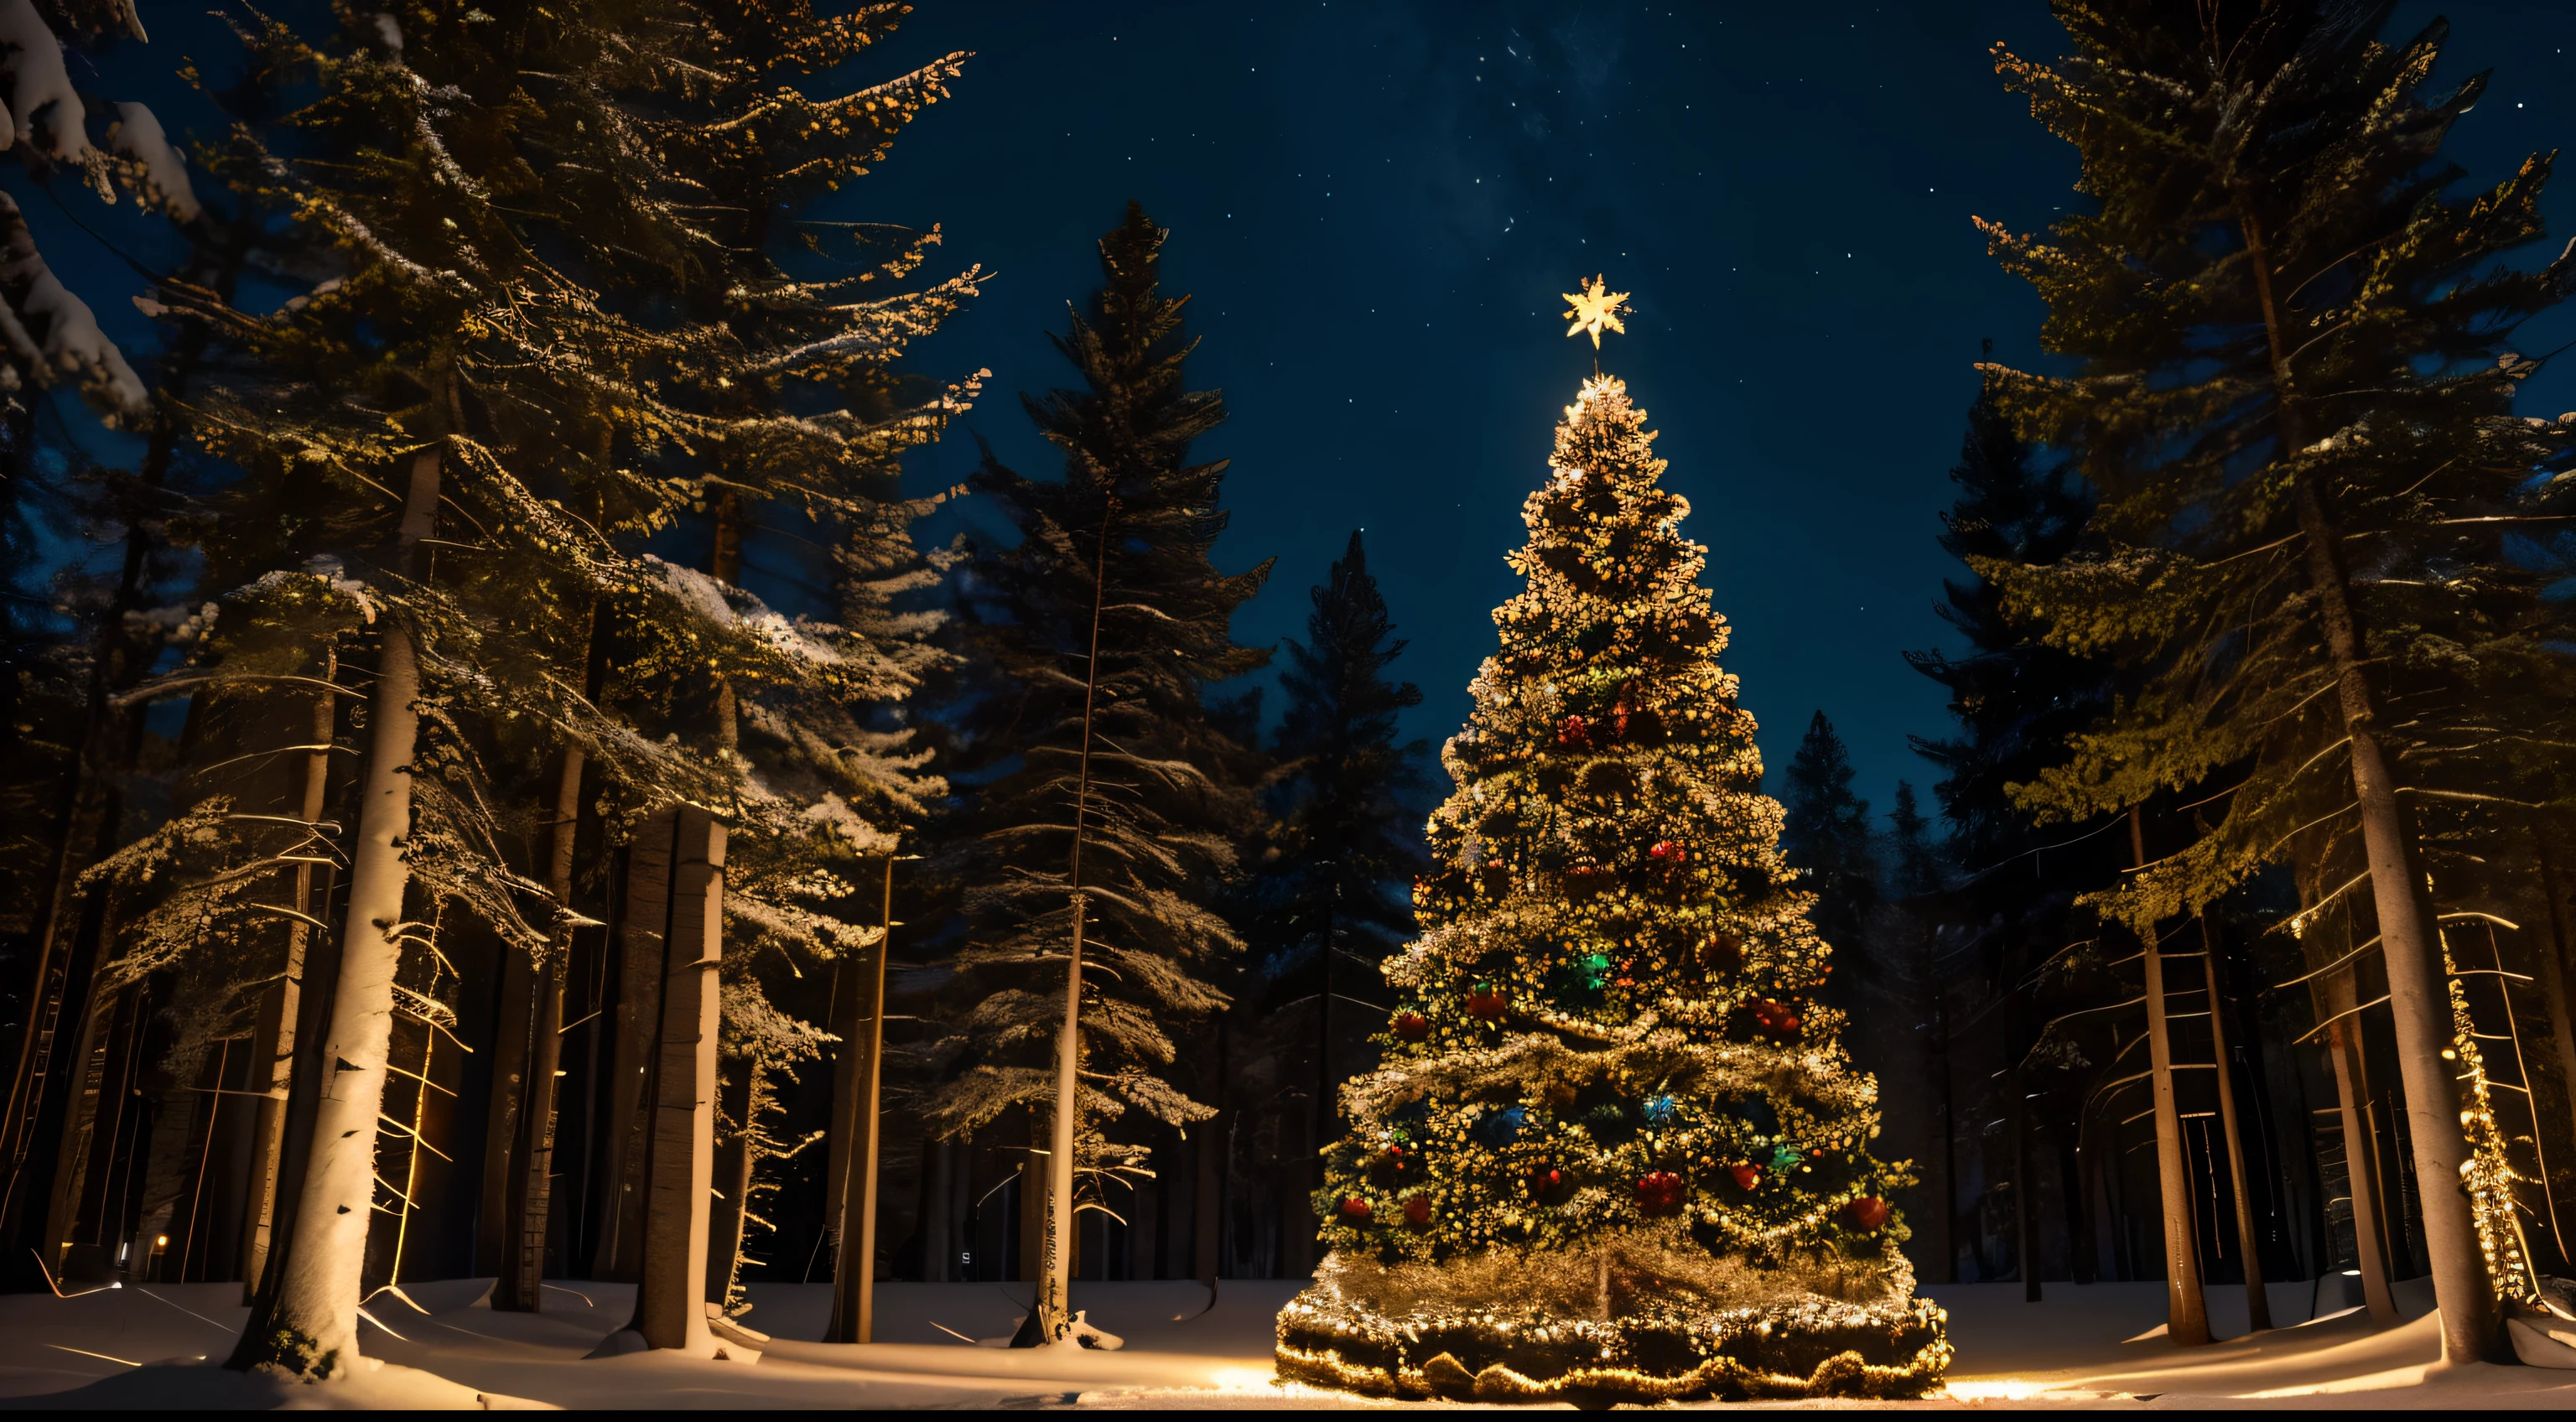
x=2294 y=401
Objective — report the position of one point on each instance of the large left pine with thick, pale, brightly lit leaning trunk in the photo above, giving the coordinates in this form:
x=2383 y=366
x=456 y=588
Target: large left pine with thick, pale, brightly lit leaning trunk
x=457 y=393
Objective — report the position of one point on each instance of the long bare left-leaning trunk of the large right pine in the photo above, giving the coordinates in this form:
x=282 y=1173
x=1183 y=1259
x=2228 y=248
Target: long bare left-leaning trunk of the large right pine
x=2410 y=947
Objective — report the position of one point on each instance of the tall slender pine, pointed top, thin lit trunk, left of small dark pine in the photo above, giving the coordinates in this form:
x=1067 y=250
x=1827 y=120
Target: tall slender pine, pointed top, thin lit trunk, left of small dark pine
x=1114 y=792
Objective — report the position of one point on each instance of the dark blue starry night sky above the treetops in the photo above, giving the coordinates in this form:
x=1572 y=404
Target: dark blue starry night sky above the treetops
x=1377 y=207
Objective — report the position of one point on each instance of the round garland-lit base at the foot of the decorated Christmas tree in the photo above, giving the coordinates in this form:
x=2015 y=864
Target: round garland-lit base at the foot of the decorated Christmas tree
x=1820 y=1349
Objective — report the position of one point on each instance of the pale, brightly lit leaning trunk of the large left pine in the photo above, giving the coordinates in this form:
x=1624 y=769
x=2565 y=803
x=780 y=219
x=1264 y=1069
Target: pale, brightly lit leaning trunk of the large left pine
x=310 y=1323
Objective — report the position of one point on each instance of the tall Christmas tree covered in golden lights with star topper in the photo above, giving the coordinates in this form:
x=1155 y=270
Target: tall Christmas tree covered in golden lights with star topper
x=1616 y=1148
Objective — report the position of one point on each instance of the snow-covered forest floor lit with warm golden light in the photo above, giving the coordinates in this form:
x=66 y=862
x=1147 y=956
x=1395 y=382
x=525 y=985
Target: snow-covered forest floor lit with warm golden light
x=2083 y=1346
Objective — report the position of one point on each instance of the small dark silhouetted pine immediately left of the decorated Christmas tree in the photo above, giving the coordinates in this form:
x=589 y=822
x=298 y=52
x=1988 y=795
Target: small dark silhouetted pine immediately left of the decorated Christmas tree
x=1346 y=795
